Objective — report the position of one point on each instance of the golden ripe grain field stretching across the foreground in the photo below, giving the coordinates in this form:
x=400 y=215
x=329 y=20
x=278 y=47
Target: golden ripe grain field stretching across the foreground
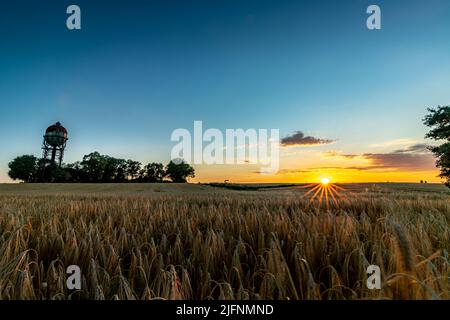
x=199 y=242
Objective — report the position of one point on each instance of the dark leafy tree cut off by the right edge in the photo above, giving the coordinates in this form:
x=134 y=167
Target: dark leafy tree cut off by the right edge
x=439 y=121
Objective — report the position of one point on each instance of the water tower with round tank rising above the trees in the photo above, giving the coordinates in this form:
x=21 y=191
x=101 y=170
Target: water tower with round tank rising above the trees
x=55 y=140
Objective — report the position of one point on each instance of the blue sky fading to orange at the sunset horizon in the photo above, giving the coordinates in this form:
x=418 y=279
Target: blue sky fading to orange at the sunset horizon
x=348 y=101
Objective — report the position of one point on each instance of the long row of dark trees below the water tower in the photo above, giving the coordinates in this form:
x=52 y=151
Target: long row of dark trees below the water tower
x=97 y=168
